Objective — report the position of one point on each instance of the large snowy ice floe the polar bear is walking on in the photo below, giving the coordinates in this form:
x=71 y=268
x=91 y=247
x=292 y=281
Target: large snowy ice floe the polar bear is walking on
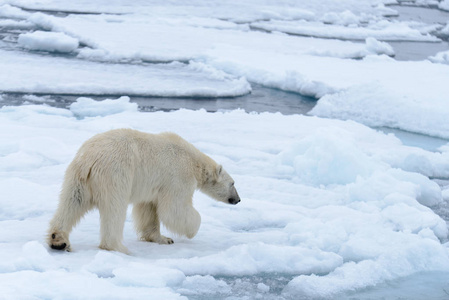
x=333 y=205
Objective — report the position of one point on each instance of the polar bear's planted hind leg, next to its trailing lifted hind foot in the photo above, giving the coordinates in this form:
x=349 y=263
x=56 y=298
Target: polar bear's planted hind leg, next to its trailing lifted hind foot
x=112 y=218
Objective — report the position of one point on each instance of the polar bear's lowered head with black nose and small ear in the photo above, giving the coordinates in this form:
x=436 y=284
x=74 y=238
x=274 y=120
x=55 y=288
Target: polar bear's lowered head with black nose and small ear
x=221 y=187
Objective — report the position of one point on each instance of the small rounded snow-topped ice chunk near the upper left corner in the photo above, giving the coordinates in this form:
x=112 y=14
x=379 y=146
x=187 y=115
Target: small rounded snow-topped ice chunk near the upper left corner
x=48 y=41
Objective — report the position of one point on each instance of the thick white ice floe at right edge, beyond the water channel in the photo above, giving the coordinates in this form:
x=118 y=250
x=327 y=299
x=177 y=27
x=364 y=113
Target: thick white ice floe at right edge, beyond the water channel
x=406 y=95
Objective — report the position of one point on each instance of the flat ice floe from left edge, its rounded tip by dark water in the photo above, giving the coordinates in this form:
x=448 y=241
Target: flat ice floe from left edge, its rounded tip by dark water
x=24 y=72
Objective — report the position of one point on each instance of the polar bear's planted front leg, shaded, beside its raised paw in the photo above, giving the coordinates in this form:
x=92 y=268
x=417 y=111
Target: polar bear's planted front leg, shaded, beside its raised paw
x=147 y=223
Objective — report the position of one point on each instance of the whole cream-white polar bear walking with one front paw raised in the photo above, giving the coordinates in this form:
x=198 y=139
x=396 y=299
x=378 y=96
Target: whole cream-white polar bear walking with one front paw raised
x=157 y=173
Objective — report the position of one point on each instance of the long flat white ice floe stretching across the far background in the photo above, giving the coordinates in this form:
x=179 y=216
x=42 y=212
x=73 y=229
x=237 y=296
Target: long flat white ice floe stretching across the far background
x=168 y=39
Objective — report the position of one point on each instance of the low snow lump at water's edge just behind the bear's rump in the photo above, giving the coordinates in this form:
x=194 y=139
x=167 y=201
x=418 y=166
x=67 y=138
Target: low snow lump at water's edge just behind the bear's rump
x=86 y=107
